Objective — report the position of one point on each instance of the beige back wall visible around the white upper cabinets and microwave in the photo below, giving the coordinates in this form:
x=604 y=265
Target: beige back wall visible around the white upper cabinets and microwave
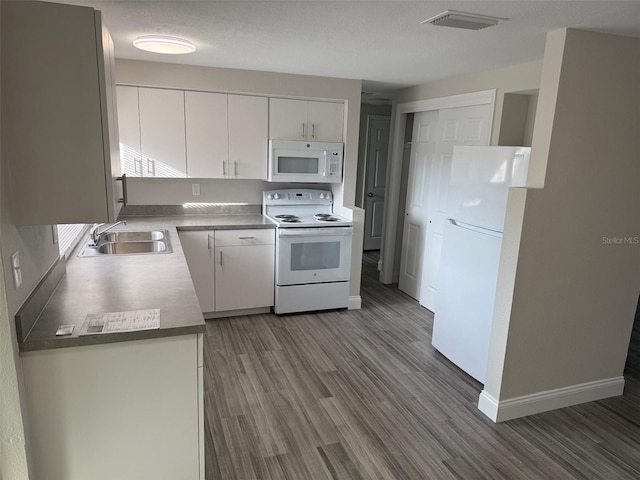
x=153 y=74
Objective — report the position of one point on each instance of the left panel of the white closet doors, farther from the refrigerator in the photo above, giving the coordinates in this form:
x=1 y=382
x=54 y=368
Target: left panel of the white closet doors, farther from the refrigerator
x=423 y=145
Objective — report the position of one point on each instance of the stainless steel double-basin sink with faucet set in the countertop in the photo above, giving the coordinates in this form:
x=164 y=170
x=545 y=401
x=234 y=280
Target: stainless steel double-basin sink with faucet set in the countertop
x=127 y=243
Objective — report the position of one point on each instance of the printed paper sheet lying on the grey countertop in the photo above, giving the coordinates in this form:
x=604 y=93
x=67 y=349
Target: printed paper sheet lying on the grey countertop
x=114 y=322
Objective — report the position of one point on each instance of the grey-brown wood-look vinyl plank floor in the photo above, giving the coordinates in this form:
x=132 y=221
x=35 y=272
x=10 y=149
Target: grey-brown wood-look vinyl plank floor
x=363 y=395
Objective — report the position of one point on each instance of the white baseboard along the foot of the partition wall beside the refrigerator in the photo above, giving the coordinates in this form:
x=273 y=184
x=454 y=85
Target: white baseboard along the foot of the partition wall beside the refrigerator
x=499 y=411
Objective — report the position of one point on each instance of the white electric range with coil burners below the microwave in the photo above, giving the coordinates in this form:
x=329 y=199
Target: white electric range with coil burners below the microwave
x=313 y=250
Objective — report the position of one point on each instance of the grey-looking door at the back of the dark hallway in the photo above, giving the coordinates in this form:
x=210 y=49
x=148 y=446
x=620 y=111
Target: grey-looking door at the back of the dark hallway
x=376 y=173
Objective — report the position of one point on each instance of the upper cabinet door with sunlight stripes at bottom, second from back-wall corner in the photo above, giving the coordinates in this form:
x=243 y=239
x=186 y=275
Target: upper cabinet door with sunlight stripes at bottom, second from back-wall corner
x=162 y=134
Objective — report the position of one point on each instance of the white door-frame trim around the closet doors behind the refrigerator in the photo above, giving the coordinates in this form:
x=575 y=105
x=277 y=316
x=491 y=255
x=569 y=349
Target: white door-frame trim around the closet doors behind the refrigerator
x=394 y=163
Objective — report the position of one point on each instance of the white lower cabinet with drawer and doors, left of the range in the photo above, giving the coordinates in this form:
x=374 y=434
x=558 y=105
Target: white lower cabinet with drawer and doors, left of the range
x=232 y=270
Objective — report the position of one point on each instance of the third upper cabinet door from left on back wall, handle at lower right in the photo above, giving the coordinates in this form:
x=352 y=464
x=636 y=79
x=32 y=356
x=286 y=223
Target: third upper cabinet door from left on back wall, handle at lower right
x=207 y=134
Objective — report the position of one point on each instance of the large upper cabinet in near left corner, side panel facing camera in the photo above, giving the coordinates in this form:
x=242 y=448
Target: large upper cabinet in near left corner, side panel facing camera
x=59 y=114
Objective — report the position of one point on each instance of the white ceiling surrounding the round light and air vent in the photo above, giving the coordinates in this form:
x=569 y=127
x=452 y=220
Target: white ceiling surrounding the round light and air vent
x=380 y=42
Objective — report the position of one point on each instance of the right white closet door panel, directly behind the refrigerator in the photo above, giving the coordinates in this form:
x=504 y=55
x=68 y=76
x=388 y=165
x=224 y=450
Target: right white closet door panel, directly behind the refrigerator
x=456 y=126
